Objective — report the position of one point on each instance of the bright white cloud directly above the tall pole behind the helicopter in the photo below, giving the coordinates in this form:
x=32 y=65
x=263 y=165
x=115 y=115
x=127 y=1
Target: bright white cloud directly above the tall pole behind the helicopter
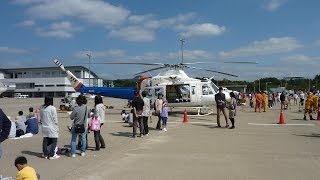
x=205 y=29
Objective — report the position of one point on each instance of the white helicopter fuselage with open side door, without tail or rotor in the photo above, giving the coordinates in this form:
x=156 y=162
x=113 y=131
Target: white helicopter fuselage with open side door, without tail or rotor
x=180 y=90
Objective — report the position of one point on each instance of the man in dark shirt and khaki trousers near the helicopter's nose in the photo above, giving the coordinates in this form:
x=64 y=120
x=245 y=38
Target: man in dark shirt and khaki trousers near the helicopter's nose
x=221 y=106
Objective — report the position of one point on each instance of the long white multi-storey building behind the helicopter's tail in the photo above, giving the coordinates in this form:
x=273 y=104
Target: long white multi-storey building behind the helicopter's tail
x=45 y=81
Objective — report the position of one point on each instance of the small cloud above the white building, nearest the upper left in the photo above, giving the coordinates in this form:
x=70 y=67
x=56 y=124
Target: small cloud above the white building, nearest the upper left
x=61 y=30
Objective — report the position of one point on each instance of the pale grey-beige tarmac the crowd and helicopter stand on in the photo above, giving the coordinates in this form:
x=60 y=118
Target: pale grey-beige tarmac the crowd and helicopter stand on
x=258 y=148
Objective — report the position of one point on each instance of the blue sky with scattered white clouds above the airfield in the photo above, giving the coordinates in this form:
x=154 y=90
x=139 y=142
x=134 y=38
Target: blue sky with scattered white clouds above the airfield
x=283 y=36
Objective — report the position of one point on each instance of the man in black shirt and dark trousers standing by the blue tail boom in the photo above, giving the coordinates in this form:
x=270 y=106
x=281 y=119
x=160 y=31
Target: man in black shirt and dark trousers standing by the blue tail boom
x=137 y=105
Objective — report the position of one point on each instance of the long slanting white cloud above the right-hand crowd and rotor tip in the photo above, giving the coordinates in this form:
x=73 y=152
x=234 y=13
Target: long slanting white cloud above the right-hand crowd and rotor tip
x=270 y=46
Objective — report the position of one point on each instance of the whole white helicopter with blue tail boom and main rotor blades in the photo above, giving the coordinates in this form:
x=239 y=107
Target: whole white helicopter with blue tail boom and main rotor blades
x=175 y=85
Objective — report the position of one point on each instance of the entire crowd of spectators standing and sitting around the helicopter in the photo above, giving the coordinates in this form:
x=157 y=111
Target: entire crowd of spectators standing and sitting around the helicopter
x=85 y=119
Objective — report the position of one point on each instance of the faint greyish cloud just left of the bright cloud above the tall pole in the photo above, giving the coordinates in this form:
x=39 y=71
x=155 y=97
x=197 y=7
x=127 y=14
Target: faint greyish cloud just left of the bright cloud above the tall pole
x=133 y=34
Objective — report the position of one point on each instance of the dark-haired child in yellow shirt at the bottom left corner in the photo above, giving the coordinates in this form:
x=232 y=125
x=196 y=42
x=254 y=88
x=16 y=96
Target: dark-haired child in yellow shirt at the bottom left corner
x=24 y=171
